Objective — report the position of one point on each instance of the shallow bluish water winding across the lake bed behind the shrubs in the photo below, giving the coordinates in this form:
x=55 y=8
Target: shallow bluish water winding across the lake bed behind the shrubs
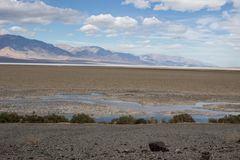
x=198 y=111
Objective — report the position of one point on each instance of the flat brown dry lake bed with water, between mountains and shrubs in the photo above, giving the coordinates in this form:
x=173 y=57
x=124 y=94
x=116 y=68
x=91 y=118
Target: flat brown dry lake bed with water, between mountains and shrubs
x=108 y=92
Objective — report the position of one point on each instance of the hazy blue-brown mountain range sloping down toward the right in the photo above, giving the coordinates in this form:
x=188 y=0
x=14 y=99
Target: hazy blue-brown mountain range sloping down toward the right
x=18 y=49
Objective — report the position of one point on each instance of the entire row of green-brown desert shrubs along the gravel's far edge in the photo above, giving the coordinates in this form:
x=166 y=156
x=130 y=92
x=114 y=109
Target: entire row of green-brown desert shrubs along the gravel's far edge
x=6 y=117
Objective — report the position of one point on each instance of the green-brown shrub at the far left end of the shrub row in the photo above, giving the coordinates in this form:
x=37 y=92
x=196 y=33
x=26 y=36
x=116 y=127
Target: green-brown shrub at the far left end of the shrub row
x=10 y=117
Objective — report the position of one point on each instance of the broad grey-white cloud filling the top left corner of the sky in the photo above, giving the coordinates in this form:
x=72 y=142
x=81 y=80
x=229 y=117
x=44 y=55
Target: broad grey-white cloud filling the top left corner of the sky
x=15 y=11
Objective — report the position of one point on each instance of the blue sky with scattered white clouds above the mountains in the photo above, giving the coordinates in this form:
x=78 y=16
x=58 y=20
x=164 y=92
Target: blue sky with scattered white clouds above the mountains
x=204 y=30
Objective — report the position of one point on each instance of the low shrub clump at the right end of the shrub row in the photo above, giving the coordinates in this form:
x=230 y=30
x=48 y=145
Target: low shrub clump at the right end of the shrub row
x=226 y=119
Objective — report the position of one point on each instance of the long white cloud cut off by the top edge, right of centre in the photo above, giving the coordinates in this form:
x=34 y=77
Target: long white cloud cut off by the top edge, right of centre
x=182 y=5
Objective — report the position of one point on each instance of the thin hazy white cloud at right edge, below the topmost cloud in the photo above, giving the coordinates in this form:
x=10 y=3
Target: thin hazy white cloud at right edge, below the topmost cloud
x=221 y=31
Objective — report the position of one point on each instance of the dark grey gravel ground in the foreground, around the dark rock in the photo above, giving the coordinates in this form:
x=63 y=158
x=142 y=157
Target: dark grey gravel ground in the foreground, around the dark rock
x=99 y=141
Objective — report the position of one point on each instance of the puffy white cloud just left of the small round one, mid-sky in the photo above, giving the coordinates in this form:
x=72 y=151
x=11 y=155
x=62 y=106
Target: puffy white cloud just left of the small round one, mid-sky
x=108 y=24
